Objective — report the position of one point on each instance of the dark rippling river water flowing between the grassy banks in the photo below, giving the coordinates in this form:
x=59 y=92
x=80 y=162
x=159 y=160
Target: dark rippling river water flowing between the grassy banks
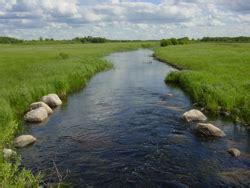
x=124 y=130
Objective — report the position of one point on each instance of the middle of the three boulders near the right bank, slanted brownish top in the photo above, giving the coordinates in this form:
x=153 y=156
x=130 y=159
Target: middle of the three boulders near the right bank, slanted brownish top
x=209 y=130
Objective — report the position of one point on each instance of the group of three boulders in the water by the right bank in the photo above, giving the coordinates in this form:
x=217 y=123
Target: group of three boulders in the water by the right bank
x=206 y=129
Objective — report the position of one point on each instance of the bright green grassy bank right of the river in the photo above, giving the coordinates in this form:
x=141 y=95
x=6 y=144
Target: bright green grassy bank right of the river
x=217 y=76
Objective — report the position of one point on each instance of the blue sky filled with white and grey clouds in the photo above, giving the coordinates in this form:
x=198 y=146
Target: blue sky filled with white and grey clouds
x=124 y=19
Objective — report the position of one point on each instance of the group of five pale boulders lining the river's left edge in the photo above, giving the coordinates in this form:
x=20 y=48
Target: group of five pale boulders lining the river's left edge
x=37 y=112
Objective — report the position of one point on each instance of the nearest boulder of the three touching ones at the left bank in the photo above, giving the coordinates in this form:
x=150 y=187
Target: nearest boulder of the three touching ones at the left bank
x=37 y=115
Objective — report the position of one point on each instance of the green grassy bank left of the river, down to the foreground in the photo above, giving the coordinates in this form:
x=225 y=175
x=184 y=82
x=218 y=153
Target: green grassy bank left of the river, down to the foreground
x=30 y=71
